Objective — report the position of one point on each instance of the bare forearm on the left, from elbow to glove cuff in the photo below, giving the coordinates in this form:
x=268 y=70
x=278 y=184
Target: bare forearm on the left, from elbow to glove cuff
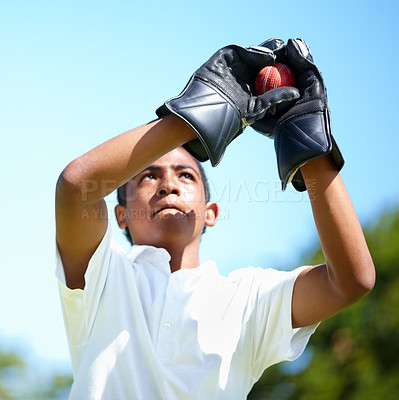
x=100 y=171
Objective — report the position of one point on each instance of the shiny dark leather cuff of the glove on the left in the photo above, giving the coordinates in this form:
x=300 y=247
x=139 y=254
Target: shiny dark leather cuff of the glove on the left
x=212 y=116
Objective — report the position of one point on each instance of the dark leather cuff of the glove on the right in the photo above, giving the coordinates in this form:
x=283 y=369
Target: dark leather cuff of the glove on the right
x=301 y=139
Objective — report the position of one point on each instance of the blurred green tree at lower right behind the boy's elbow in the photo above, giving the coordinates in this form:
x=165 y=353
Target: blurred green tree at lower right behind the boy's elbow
x=355 y=354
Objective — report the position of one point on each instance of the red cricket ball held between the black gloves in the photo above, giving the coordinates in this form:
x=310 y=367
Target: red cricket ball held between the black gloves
x=272 y=77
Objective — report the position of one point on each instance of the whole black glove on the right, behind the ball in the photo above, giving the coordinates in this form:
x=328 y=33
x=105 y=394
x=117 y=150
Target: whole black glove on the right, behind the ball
x=304 y=131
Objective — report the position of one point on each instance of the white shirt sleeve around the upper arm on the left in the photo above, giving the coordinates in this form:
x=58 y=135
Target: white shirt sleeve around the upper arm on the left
x=80 y=306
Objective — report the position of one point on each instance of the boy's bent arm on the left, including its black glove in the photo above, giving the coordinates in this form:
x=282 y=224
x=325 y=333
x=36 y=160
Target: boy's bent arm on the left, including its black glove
x=214 y=108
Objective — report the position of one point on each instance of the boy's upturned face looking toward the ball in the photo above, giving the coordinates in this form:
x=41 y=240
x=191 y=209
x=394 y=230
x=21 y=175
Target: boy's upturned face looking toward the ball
x=166 y=201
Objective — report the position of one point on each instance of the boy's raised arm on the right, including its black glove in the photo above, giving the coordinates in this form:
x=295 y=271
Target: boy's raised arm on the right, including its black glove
x=308 y=156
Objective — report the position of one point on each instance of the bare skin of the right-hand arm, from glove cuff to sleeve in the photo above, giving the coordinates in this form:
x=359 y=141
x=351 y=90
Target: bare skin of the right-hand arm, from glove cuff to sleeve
x=348 y=274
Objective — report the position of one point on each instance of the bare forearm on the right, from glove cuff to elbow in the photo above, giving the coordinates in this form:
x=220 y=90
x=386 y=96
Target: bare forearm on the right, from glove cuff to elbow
x=349 y=264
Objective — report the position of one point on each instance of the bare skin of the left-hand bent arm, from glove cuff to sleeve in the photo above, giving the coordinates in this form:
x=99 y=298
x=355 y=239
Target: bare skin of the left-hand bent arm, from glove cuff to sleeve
x=81 y=212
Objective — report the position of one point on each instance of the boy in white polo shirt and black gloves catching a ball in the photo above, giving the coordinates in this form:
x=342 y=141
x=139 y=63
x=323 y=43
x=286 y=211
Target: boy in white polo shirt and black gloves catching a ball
x=157 y=324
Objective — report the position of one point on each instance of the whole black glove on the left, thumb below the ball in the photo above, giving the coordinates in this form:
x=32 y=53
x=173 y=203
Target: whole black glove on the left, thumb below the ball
x=219 y=102
